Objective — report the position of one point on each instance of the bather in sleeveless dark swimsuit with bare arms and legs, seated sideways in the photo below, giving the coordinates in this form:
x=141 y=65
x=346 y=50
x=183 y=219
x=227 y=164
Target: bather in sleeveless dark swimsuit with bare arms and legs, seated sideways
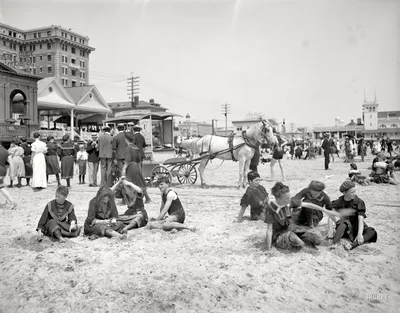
x=170 y=204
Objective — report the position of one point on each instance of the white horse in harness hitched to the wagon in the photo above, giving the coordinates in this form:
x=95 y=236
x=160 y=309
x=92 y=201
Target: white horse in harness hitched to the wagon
x=240 y=149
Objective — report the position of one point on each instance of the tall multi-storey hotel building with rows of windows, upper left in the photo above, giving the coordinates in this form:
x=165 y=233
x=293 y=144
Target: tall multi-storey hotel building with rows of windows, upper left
x=51 y=51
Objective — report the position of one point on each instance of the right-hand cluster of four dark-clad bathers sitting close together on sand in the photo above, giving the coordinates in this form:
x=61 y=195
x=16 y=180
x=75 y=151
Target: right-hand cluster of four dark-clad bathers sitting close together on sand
x=285 y=214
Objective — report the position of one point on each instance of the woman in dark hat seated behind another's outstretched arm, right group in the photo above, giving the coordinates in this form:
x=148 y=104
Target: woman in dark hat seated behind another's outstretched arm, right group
x=313 y=194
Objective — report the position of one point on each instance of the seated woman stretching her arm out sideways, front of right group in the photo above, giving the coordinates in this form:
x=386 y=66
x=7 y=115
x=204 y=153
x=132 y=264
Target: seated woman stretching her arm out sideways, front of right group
x=280 y=231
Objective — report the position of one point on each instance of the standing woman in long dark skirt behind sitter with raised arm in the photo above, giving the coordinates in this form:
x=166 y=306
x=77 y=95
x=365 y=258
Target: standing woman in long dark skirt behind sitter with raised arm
x=131 y=168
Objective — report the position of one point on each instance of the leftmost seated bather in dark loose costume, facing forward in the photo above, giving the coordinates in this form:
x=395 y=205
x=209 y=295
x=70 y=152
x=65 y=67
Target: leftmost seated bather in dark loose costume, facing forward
x=58 y=219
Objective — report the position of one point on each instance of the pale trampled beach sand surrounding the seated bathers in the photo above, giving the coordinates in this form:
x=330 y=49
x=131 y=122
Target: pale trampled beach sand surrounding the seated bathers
x=220 y=268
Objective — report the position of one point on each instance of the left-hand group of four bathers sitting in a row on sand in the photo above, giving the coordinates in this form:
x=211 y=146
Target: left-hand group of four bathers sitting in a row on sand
x=59 y=220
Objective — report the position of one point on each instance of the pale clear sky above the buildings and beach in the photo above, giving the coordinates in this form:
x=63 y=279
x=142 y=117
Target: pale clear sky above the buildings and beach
x=305 y=61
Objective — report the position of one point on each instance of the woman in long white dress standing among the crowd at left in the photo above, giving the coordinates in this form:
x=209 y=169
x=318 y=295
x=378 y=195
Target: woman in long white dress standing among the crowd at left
x=39 y=148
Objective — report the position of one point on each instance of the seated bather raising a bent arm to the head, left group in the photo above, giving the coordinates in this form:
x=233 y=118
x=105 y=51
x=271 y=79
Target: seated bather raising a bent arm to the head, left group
x=136 y=215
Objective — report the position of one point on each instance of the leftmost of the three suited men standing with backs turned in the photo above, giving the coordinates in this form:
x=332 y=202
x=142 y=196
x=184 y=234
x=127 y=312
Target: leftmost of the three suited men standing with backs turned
x=105 y=153
